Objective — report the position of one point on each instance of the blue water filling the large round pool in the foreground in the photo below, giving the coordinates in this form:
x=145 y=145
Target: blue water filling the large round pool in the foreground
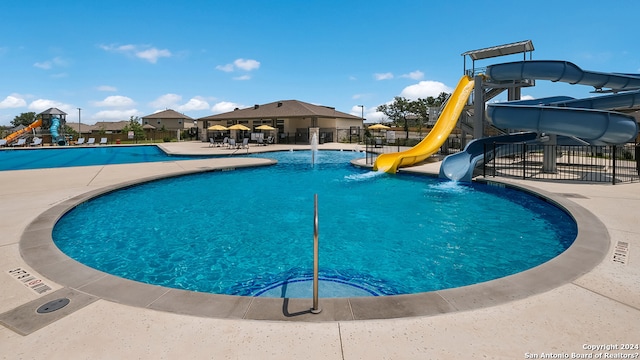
x=250 y=231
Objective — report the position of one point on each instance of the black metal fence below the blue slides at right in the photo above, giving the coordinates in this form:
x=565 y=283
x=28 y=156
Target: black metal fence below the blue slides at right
x=614 y=164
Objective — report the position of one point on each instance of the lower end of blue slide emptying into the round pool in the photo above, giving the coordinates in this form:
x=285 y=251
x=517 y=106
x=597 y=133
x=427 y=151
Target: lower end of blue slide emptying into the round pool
x=460 y=166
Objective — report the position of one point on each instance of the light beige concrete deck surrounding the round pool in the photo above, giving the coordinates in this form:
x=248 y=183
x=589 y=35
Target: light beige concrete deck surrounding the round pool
x=601 y=306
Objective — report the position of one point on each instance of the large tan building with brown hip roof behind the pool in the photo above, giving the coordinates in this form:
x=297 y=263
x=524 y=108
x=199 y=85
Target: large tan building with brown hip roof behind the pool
x=291 y=120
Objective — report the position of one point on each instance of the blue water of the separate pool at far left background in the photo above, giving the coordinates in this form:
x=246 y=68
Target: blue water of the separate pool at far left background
x=23 y=159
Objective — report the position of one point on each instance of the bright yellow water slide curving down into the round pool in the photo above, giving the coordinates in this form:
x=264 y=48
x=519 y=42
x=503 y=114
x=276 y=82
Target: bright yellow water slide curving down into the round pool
x=436 y=137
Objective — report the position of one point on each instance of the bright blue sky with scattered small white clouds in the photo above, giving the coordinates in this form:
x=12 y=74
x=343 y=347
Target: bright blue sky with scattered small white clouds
x=116 y=59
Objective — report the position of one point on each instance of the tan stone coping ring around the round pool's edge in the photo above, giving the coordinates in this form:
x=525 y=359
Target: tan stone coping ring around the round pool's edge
x=588 y=250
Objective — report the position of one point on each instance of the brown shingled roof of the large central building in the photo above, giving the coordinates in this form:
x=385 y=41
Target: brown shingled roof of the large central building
x=282 y=109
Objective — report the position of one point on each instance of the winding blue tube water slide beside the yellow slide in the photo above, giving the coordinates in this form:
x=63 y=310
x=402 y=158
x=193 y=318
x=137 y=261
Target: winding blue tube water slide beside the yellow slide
x=585 y=119
